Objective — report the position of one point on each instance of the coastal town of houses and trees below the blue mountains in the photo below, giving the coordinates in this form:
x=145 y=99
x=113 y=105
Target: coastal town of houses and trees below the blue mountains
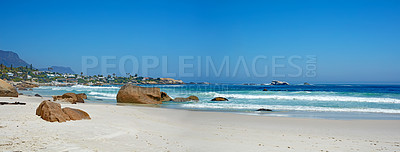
x=48 y=77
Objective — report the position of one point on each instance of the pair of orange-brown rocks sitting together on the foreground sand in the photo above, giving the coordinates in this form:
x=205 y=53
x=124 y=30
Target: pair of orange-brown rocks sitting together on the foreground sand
x=52 y=112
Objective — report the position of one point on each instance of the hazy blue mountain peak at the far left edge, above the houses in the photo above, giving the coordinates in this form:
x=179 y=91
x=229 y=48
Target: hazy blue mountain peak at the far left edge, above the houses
x=9 y=58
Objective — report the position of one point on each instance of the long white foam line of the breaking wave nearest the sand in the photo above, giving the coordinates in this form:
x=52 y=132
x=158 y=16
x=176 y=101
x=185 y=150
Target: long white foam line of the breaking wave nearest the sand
x=282 y=107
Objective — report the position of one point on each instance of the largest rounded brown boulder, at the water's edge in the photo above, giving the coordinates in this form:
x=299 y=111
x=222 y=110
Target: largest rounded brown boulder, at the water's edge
x=135 y=94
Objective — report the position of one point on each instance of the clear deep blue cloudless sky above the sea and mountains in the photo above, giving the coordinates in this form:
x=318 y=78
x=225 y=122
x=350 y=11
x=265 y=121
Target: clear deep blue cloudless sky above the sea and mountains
x=354 y=41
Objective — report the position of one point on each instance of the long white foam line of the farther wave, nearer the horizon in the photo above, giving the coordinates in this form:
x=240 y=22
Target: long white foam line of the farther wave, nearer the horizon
x=311 y=98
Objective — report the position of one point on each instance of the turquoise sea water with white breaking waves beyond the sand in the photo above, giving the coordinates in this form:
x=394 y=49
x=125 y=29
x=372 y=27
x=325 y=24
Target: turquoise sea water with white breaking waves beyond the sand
x=328 y=101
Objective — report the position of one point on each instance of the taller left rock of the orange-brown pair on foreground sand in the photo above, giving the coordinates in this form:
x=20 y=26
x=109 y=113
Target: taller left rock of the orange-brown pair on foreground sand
x=51 y=111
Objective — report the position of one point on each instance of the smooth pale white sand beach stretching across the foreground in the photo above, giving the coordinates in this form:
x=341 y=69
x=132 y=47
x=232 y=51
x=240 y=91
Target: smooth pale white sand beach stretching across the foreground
x=133 y=128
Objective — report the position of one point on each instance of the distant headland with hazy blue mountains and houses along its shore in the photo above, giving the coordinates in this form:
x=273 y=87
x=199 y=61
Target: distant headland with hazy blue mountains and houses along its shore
x=17 y=70
